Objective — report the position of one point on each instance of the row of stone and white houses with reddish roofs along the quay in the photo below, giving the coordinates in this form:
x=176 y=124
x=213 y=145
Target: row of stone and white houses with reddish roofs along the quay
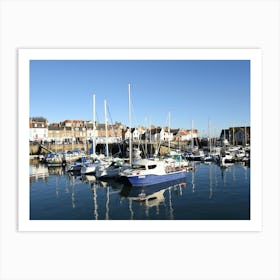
x=81 y=131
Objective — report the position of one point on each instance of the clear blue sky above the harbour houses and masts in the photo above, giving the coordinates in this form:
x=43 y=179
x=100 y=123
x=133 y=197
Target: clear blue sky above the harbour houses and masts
x=191 y=90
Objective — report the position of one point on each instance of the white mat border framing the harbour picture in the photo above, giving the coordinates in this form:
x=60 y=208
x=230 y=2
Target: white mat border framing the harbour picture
x=24 y=57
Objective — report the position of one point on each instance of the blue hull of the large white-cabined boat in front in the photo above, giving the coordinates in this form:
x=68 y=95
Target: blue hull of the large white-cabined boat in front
x=151 y=179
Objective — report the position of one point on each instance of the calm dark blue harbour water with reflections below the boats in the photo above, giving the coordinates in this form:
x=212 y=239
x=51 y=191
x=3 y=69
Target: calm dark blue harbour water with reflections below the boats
x=209 y=193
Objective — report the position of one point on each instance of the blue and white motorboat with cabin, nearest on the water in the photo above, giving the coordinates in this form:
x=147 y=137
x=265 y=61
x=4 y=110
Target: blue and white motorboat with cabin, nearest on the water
x=146 y=172
